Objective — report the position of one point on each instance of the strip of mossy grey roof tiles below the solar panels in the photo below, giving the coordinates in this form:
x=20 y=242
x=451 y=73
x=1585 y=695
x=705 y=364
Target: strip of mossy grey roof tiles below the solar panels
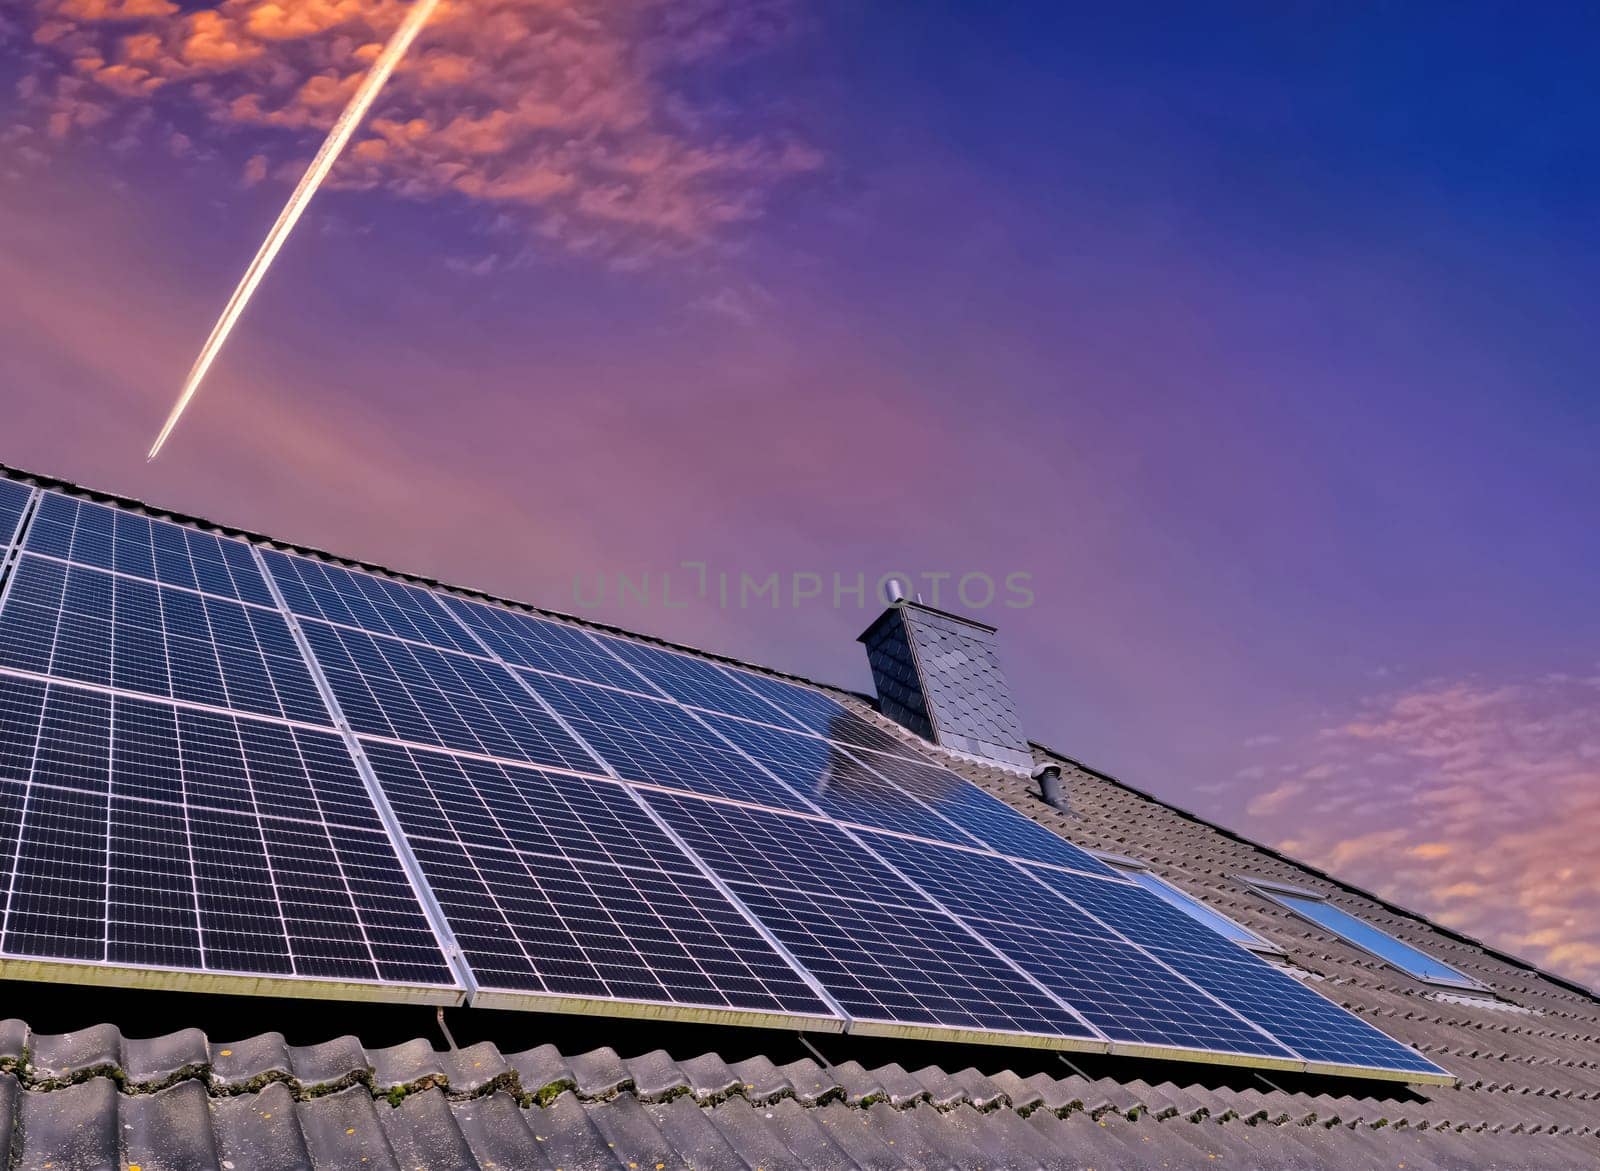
x=97 y=1100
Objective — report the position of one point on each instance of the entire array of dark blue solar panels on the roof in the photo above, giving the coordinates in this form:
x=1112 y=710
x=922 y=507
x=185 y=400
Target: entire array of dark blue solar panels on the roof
x=241 y=769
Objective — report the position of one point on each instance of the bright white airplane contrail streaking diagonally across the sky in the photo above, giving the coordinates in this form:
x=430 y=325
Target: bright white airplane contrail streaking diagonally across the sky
x=327 y=156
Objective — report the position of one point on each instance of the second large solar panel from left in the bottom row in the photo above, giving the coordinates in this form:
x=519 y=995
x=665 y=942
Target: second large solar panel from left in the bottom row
x=567 y=887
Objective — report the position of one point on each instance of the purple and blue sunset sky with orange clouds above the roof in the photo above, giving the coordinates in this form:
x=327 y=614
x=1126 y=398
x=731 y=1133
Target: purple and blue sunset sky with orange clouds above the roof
x=1236 y=362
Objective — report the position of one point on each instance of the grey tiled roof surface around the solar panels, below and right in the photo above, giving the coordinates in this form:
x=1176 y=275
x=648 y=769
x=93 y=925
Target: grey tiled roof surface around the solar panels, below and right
x=1529 y=1068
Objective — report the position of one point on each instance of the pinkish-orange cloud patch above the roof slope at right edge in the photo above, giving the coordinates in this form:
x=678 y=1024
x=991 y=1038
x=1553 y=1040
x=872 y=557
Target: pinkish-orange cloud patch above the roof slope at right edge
x=1476 y=804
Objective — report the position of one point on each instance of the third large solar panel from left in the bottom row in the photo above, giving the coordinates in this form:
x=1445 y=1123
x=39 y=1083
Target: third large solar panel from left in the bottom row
x=878 y=946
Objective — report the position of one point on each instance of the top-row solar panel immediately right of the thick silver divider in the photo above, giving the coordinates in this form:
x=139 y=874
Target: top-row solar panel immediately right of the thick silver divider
x=350 y=597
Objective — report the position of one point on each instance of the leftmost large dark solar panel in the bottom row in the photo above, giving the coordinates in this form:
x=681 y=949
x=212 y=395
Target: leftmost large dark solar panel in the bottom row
x=153 y=836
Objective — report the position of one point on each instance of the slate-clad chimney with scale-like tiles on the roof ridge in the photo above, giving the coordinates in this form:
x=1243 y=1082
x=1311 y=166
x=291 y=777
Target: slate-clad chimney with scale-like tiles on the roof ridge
x=938 y=676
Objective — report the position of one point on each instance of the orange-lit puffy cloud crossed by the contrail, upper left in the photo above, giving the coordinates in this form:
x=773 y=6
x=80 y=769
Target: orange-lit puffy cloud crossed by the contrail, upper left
x=572 y=114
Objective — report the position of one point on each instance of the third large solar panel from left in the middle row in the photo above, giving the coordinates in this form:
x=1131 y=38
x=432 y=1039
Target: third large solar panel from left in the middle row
x=658 y=743
